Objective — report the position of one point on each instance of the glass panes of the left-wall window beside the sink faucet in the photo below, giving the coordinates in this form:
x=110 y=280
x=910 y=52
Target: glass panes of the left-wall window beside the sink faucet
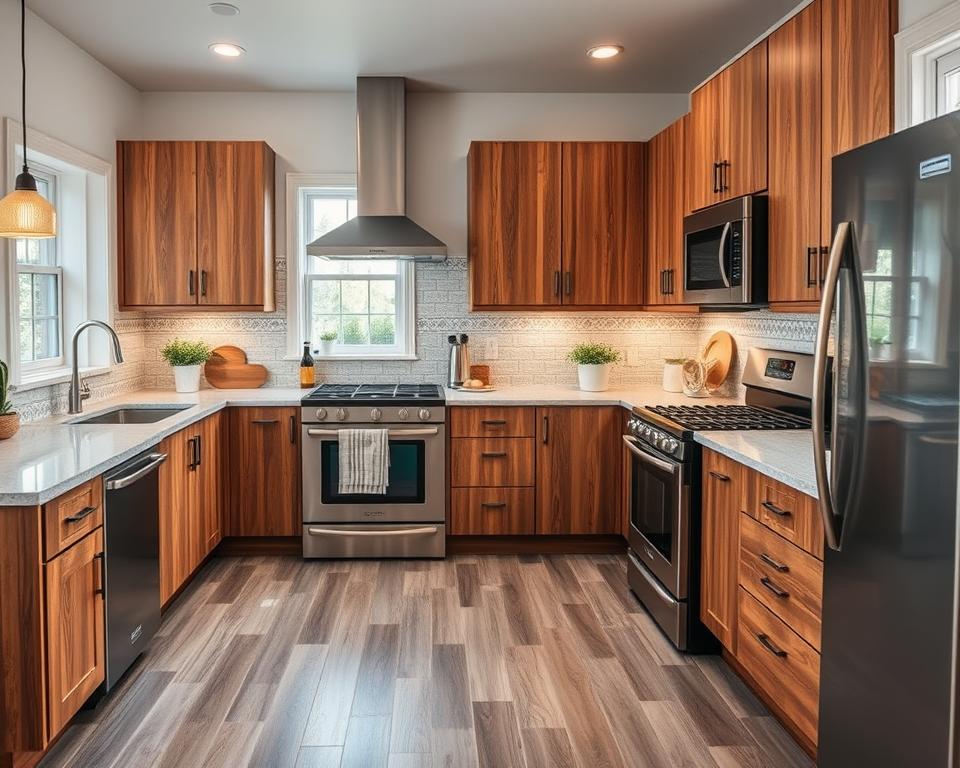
x=39 y=288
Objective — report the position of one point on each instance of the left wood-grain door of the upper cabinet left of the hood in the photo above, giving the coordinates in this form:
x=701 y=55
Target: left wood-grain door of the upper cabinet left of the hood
x=157 y=190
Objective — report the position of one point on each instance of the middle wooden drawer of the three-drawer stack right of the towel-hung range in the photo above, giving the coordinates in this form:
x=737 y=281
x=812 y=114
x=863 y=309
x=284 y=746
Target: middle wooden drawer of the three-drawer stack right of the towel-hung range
x=491 y=461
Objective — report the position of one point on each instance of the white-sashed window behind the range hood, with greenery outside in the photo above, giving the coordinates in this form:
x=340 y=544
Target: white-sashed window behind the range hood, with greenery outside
x=366 y=306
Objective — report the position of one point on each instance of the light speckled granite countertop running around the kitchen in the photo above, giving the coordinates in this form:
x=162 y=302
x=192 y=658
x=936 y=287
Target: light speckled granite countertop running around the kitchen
x=47 y=458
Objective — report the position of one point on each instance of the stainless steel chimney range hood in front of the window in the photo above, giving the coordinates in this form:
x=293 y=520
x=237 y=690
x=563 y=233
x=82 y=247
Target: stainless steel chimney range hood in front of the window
x=381 y=229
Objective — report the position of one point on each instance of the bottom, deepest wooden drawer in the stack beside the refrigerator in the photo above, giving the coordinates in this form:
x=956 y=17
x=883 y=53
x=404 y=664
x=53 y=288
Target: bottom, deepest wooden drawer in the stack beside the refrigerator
x=781 y=663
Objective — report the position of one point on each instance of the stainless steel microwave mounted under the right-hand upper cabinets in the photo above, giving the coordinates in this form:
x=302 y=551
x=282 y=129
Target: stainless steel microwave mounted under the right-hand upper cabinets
x=725 y=254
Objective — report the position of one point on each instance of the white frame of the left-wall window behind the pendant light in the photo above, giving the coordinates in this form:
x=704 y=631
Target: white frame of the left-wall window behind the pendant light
x=86 y=254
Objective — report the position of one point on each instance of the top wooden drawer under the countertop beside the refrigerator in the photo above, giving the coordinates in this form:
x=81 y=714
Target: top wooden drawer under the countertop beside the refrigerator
x=786 y=511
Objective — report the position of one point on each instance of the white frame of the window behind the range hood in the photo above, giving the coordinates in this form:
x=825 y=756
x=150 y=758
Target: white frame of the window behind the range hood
x=299 y=279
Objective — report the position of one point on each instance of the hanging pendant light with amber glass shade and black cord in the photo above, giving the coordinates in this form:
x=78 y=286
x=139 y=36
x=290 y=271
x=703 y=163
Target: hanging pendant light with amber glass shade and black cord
x=25 y=212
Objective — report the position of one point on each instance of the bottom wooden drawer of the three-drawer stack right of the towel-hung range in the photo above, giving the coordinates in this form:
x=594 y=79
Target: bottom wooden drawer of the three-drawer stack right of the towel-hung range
x=491 y=511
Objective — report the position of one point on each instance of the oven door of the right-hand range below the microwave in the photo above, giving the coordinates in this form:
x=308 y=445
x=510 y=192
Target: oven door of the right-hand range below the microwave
x=659 y=516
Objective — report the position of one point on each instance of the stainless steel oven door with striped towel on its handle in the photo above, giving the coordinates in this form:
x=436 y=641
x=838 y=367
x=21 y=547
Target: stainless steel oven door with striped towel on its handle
x=415 y=492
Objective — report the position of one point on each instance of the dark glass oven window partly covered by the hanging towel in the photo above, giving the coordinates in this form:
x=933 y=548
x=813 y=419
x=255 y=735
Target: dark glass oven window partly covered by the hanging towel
x=407 y=475
